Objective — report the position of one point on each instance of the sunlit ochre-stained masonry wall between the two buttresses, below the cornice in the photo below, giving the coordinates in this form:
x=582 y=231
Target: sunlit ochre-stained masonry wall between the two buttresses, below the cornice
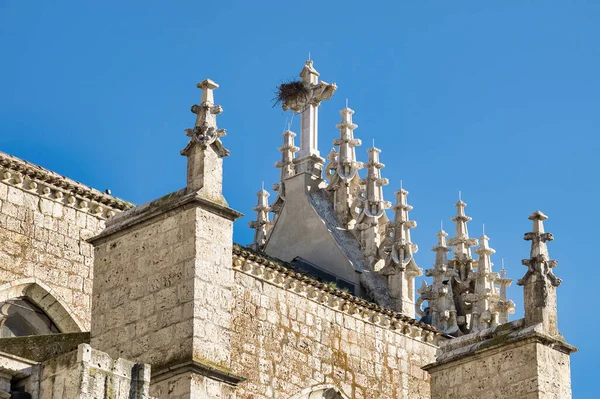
x=285 y=342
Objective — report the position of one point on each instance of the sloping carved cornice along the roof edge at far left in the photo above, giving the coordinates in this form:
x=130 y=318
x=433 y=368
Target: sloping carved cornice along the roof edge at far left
x=45 y=183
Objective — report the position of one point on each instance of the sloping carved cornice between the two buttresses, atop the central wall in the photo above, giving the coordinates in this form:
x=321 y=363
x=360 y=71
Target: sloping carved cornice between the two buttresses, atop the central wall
x=278 y=273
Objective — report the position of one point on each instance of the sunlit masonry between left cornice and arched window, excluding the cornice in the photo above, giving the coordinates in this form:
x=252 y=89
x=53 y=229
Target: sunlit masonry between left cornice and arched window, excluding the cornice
x=42 y=236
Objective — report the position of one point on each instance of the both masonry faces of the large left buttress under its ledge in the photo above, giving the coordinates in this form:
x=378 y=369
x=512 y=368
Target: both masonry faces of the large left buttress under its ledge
x=163 y=287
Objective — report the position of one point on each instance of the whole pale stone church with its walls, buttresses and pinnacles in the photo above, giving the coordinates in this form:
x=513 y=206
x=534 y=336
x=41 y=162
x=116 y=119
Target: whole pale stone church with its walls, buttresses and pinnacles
x=103 y=299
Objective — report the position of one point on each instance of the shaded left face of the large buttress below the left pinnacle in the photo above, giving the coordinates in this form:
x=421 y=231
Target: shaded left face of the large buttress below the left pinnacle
x=143 y=290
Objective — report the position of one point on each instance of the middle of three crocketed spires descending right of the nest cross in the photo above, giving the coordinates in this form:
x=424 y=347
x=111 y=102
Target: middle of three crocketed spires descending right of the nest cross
x=373 y=208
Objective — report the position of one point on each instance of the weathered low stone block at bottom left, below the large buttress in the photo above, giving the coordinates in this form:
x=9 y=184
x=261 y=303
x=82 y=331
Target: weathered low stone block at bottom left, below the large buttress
x=91 y=374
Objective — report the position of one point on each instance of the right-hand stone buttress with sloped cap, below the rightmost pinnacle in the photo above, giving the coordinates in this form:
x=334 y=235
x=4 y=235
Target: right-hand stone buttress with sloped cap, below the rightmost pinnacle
x=508 y=361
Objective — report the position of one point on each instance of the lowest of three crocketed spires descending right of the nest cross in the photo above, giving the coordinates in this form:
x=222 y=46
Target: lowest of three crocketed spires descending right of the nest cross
x=400 y=266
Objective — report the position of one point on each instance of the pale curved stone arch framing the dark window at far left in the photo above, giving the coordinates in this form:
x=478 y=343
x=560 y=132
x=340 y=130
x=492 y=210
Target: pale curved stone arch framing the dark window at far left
x=46 y=299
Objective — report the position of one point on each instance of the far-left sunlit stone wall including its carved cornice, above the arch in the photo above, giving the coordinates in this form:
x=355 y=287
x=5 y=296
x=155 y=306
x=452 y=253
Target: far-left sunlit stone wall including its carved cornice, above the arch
x=45 y=220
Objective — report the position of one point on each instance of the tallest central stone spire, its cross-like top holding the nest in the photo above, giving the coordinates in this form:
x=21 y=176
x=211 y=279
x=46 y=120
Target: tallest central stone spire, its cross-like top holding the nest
x=309 y=159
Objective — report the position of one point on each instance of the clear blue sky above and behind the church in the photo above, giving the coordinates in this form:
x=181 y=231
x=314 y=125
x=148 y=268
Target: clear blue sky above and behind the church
x=497 y=99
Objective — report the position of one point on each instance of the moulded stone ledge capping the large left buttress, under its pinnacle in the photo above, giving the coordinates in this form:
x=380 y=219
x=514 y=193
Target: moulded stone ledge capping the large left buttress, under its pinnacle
x=159 y=207
